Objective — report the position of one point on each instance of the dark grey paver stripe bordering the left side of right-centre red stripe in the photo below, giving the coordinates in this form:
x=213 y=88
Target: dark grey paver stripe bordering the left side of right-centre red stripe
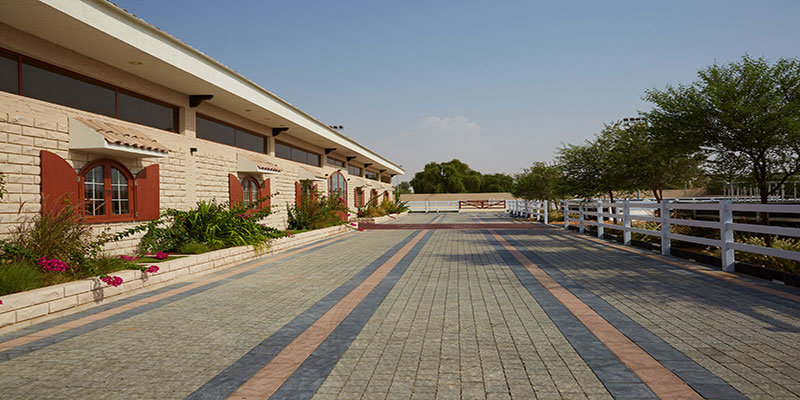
x=618 y=379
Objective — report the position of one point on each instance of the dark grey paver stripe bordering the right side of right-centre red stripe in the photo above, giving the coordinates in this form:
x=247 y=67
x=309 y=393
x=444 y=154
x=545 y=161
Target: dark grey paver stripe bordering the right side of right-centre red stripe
x=703 y=381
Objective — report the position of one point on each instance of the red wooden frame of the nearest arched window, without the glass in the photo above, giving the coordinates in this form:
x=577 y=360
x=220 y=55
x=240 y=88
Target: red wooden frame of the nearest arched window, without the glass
x=107 y=196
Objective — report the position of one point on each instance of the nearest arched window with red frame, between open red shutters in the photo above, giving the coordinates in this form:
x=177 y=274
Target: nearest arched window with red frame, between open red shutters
x=107 y=193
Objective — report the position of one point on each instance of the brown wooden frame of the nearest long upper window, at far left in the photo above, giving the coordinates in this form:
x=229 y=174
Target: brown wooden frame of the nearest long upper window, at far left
x=75 y=75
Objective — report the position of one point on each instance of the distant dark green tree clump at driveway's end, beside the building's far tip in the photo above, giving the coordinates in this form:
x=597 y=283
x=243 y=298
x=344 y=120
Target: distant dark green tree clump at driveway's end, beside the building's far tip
x=457 y=177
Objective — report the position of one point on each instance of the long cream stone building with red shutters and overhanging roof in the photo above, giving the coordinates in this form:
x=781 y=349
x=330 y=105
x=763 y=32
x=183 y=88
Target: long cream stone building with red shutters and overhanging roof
x=98 y=106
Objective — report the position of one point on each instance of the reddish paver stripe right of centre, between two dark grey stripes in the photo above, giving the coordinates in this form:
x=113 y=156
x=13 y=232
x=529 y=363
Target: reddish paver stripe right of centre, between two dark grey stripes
x=663 y=383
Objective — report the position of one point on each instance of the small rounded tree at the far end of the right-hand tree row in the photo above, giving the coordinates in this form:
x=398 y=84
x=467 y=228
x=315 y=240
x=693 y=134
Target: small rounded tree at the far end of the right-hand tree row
x=539 y=182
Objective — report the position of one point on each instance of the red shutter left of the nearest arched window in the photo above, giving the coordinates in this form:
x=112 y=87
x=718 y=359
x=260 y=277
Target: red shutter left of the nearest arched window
x=59 y=184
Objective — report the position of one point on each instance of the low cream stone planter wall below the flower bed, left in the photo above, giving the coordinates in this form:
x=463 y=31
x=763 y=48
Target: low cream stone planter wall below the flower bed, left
x=23 y=309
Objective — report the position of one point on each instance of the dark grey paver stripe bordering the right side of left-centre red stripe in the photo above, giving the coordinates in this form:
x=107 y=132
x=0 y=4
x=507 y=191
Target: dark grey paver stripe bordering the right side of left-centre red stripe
x=308 y=378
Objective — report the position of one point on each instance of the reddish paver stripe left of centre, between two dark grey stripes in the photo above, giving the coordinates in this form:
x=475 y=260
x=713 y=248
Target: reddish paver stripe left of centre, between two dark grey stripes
x=270 y=378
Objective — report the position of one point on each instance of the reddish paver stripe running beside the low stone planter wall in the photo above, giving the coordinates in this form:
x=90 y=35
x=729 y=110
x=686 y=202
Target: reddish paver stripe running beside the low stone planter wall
x=22 y=340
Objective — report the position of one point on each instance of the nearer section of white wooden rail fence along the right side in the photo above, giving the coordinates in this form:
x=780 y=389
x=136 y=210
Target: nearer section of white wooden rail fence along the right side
x=627 y=211
